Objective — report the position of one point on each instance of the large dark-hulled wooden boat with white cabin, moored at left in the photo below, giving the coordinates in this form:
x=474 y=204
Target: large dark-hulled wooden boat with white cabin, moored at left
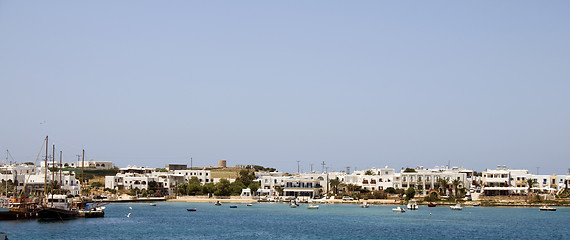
x=57 y=207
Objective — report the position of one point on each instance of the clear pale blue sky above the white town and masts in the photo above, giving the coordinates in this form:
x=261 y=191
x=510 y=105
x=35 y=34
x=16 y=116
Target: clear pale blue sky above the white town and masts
x=352 y=83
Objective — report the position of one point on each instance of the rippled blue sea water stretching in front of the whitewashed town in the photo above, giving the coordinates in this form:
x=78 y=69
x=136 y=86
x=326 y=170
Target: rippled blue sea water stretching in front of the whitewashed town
x=267 y=221
